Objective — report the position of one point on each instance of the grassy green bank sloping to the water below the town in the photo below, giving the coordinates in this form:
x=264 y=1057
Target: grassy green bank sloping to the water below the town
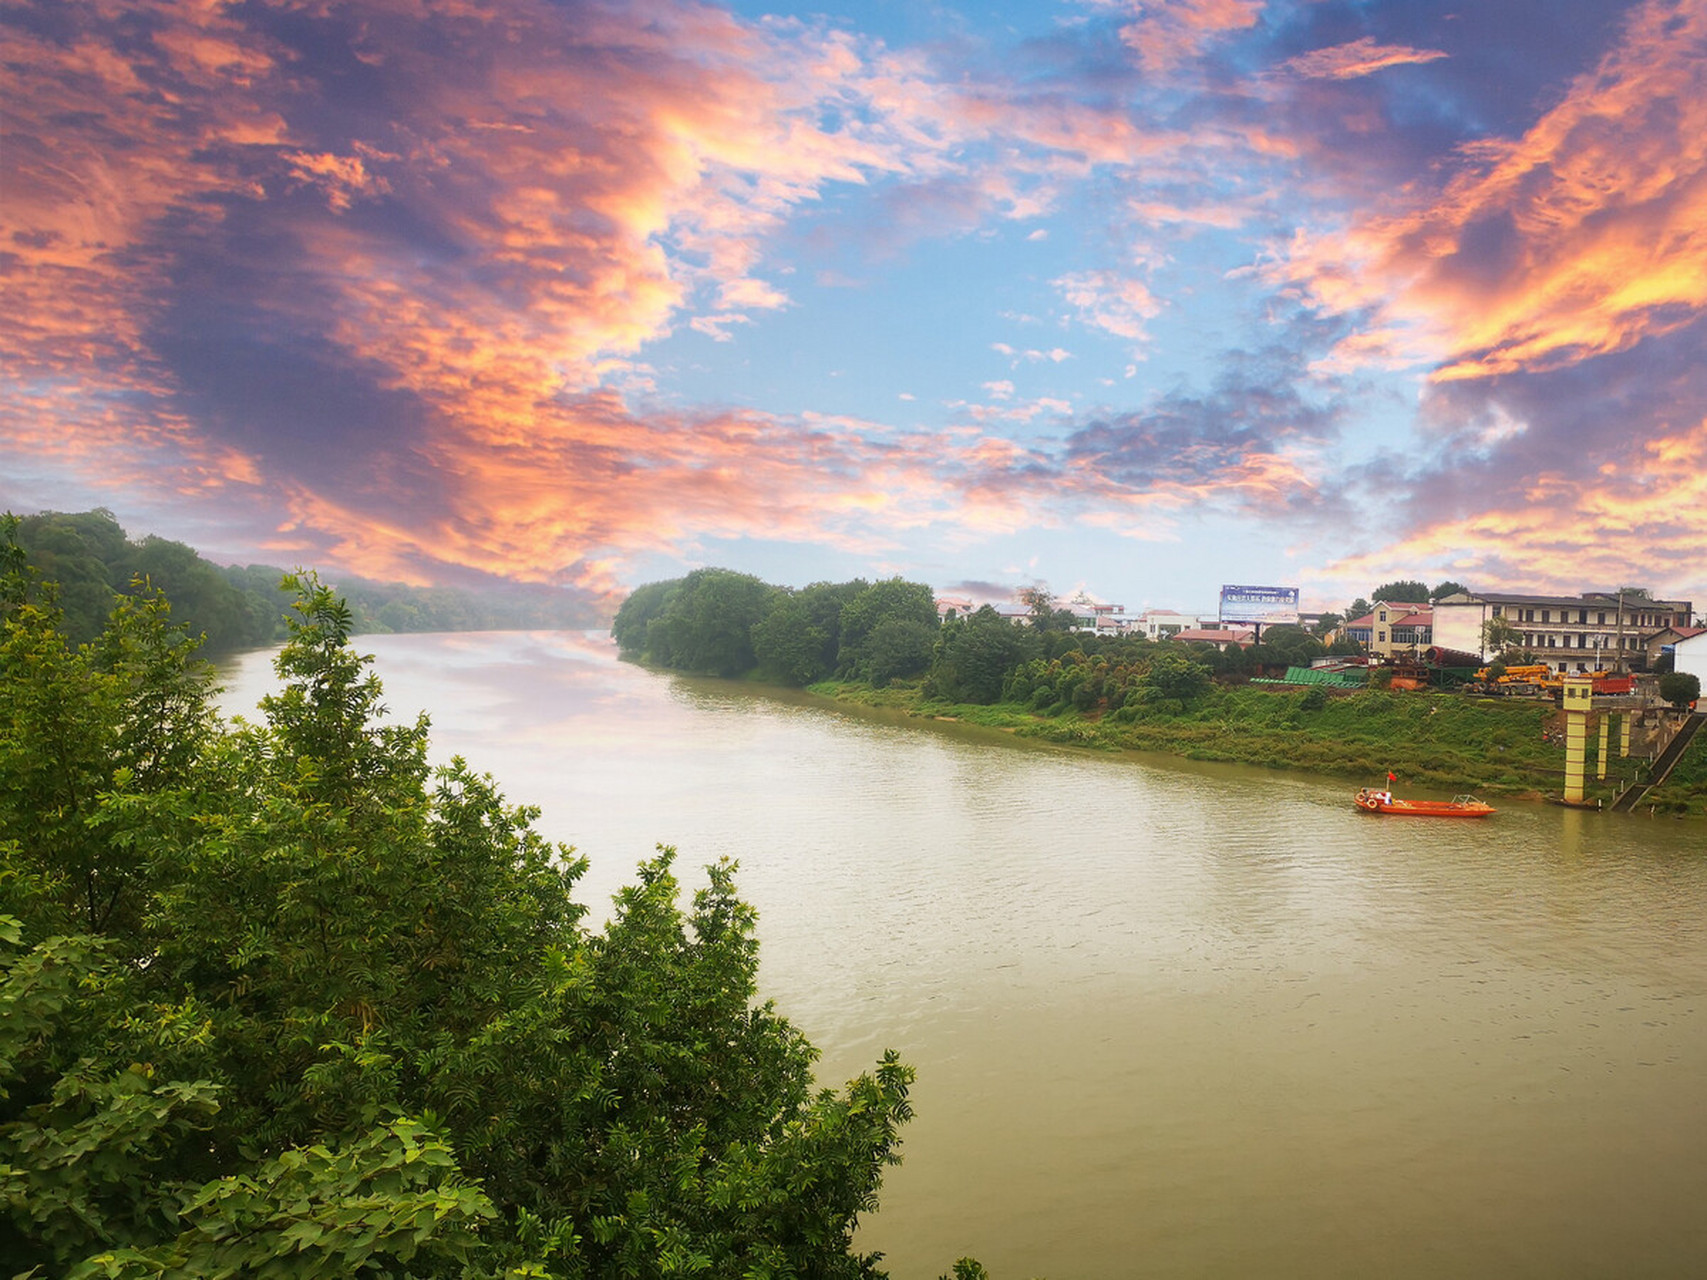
x=1435 y=743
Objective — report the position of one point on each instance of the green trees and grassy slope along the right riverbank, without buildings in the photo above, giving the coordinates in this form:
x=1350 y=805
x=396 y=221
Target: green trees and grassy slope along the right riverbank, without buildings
x=880 y=644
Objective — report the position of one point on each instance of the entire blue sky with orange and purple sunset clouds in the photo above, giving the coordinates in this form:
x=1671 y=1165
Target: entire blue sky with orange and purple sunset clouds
x=1134 y=298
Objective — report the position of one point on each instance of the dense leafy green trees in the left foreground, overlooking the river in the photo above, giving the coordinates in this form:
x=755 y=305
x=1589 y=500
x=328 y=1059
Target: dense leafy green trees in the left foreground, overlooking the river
x=283 y=999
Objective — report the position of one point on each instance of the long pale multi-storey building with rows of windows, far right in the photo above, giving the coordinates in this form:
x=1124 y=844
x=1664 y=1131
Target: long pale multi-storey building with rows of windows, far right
x=1593 y=632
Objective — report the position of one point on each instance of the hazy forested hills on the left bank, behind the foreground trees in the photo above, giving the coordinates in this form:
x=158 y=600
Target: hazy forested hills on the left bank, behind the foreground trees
x=240 y=607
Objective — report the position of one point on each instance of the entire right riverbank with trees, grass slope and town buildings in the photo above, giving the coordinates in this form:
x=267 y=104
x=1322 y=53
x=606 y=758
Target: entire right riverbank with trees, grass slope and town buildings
x=1582 y=701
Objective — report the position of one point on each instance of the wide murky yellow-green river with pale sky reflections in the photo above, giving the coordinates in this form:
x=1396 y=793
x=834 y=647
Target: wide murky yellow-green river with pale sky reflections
x=1170 y=1020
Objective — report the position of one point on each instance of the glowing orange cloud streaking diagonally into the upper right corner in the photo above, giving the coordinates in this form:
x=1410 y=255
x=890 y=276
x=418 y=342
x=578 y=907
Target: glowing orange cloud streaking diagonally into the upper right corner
x=1578 y=240
